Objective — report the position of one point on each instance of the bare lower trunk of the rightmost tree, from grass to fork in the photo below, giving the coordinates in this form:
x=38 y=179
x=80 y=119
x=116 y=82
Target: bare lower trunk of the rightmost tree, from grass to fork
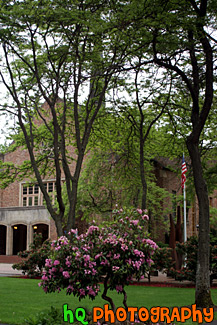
x=202 y=294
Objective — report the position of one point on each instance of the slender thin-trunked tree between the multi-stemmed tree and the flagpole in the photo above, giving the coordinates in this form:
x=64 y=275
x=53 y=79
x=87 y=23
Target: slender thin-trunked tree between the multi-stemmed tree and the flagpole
x=143 y=109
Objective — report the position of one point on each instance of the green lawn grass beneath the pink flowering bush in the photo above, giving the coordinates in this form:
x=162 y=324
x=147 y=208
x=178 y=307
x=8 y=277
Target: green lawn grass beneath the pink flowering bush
x=22 y=298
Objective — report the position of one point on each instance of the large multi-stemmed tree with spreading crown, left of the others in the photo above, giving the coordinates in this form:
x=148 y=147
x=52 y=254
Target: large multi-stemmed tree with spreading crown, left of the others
x=54 y=50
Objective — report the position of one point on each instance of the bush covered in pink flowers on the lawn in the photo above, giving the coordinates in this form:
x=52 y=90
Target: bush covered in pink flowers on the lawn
x=112 y=254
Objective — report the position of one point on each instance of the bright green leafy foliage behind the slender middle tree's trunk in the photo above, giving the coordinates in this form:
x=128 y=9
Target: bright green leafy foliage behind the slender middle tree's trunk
x=111 y=171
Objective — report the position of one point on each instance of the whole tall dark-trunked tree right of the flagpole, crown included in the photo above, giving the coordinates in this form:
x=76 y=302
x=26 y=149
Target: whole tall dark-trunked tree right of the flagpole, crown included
x=182 y=43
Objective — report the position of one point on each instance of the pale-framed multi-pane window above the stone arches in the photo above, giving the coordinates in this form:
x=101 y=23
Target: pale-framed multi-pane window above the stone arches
x=32 y=195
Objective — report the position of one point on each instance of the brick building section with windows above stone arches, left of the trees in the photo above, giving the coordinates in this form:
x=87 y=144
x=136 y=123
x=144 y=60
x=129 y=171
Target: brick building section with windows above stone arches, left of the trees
x=22 y=212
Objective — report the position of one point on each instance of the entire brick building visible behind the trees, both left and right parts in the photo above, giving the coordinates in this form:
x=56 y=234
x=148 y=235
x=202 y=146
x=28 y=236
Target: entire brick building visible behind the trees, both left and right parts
x=22 y=212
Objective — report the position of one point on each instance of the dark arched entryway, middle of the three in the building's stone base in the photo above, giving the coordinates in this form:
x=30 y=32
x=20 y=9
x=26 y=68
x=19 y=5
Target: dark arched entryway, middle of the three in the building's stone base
x=19 y=238
